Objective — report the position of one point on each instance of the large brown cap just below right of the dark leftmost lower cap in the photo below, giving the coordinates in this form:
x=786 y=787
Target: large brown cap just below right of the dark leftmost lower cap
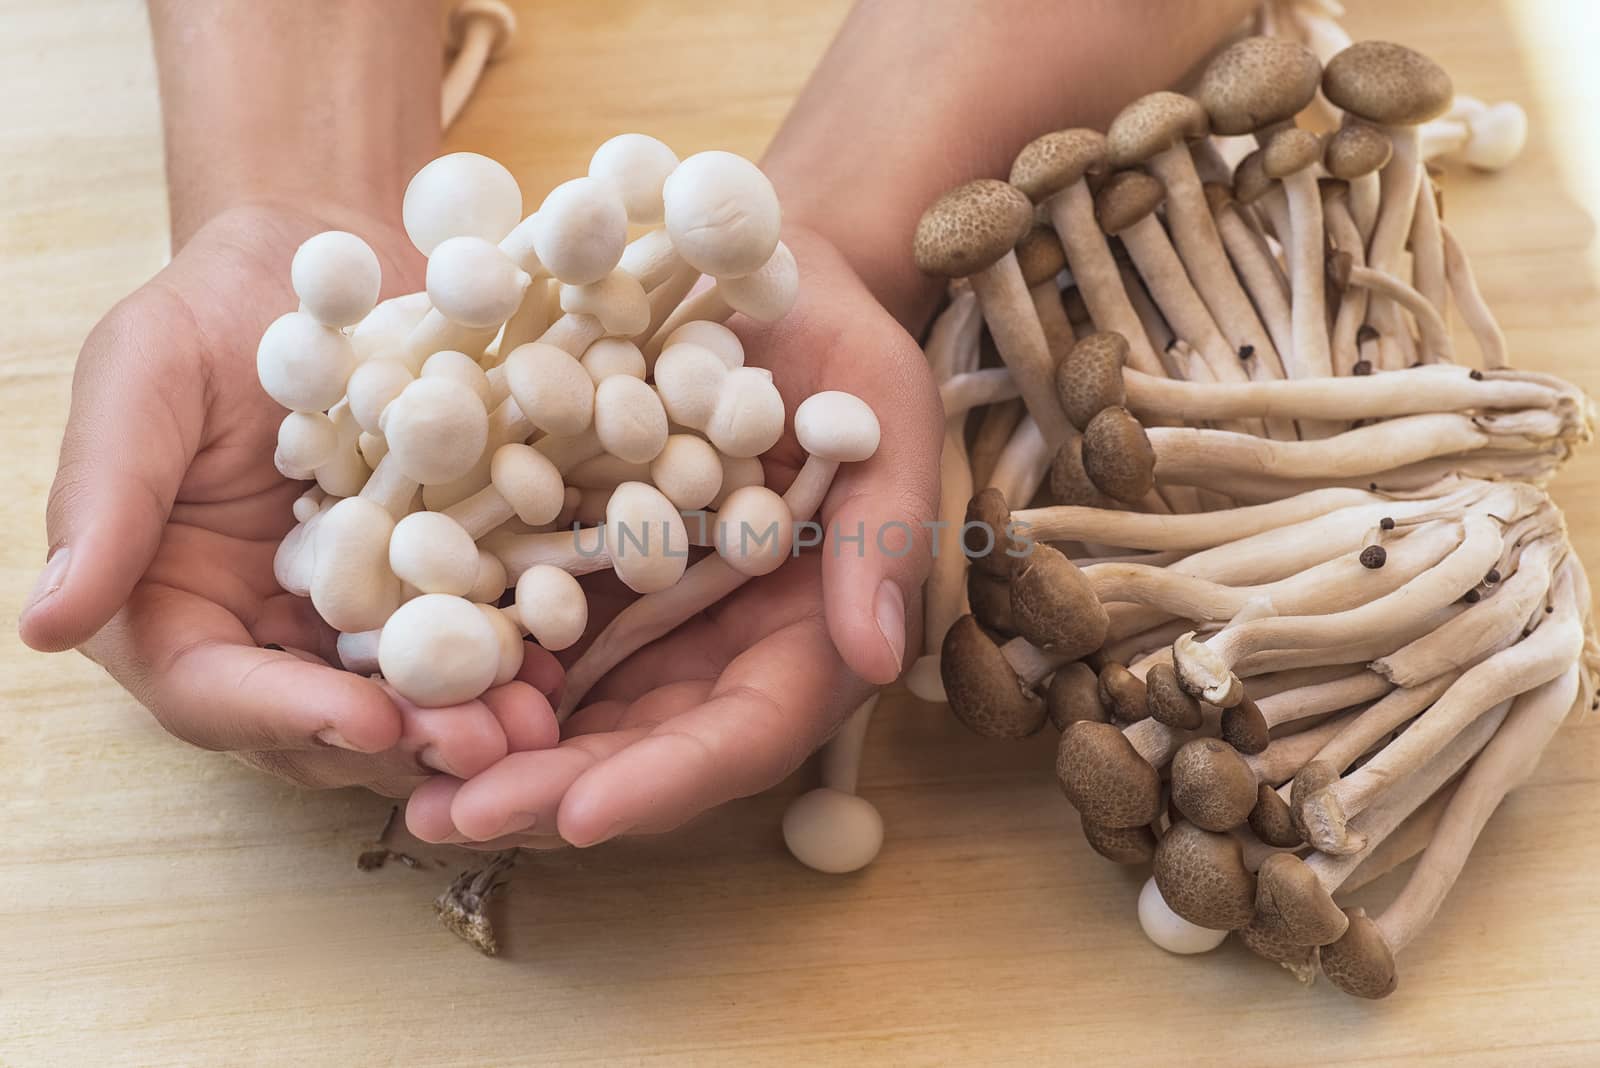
x=1105 y=778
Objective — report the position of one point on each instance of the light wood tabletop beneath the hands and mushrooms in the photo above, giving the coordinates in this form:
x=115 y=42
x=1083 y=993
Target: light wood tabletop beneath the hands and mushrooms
x=164 y=906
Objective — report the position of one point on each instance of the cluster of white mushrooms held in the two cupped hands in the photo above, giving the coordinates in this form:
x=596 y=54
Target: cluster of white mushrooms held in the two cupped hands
x=554 y=404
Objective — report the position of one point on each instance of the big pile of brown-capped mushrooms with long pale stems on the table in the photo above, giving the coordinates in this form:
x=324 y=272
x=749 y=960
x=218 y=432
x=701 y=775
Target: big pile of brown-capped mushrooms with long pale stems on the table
x=1239 y=520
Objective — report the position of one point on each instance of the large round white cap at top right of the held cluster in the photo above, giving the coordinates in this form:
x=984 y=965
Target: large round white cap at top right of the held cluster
x=722 y=215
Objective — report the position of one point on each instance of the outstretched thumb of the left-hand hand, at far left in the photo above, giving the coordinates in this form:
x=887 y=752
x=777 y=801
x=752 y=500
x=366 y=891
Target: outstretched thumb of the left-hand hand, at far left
x=132 y=432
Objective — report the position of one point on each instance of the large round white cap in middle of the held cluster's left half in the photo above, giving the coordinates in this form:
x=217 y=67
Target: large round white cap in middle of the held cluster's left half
x=436 y=431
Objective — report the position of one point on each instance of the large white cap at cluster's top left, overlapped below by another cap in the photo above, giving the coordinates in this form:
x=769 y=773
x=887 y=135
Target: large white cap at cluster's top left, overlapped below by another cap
x=462 y=194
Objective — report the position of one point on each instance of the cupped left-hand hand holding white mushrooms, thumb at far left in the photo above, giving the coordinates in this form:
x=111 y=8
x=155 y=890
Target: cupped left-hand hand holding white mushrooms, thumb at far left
x=167 y=511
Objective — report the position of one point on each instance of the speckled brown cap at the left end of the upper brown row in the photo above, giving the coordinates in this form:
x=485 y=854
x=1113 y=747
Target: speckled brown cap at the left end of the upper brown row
x=970 y=228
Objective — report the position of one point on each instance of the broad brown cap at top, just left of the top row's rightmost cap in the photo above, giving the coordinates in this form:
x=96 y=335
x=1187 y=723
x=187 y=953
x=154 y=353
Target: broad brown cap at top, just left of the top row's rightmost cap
x=1257 y=82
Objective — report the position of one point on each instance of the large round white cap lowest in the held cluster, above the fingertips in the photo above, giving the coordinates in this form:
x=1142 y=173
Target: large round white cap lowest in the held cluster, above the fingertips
x=439 y=650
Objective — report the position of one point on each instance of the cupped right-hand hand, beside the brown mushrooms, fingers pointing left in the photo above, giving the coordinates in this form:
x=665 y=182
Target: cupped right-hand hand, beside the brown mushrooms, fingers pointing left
x=735 y=699
